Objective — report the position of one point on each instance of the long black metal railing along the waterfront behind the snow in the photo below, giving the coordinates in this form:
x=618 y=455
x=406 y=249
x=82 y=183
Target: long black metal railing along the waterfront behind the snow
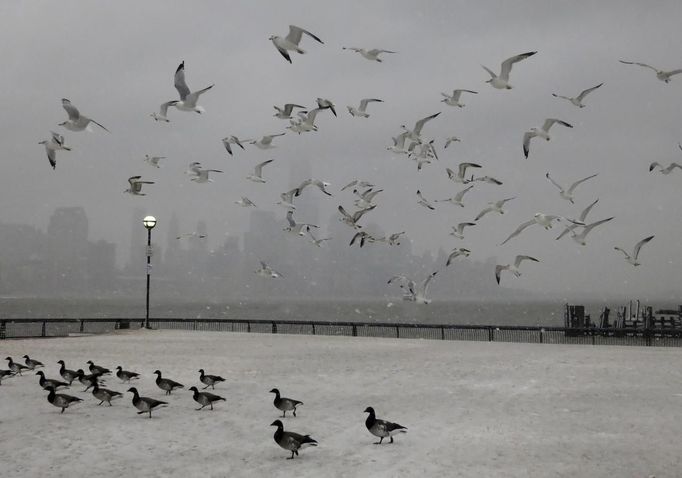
x=27 y=328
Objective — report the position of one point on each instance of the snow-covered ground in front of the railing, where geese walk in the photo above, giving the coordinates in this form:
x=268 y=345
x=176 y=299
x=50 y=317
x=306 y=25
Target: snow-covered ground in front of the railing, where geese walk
x=473 y=409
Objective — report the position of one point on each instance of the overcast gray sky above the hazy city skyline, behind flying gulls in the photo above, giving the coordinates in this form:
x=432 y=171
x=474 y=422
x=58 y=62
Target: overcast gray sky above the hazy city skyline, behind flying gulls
x=115 y=61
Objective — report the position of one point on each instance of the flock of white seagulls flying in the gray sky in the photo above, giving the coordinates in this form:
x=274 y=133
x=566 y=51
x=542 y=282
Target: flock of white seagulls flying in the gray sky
x=410 y=142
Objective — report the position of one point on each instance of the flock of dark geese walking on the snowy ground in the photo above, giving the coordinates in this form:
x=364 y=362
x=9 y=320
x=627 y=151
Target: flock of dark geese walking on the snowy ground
x=288 y=440
